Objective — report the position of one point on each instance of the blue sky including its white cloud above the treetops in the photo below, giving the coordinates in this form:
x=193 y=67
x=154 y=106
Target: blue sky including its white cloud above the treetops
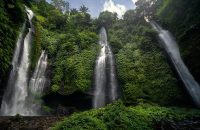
x=97 y=6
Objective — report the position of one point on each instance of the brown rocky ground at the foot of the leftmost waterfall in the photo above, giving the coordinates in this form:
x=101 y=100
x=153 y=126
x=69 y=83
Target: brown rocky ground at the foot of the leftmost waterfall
x=28 y=123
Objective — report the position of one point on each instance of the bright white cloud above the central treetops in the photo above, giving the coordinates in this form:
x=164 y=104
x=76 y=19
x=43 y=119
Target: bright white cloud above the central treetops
x=110 y=6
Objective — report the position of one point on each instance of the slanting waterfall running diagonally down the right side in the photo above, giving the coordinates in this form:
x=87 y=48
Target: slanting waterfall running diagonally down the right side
x=172 y=50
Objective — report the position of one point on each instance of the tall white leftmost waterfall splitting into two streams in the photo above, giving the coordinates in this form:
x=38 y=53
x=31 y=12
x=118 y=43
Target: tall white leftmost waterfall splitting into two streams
x=14 y=99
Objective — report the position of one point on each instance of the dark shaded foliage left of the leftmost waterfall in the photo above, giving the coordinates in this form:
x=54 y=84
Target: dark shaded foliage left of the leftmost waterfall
x=11 y=18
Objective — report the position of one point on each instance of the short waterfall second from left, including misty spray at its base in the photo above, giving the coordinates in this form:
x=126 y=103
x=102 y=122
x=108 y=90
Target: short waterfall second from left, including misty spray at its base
x=36 y=86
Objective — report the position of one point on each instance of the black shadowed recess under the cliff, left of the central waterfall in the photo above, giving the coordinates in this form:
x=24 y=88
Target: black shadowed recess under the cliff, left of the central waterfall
x=67 y=104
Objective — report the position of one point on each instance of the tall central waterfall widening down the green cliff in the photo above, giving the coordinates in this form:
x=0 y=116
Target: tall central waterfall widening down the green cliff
x=106 y=87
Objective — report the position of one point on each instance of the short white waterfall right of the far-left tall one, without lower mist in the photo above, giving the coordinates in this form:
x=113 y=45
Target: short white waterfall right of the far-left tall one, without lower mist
x=38 y=80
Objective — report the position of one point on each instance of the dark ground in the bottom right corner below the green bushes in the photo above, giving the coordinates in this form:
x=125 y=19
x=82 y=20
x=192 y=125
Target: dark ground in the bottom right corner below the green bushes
x=193 y=124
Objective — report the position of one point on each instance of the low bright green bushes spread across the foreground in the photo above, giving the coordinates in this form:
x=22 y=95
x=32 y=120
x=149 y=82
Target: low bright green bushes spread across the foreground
x=119 y=117
